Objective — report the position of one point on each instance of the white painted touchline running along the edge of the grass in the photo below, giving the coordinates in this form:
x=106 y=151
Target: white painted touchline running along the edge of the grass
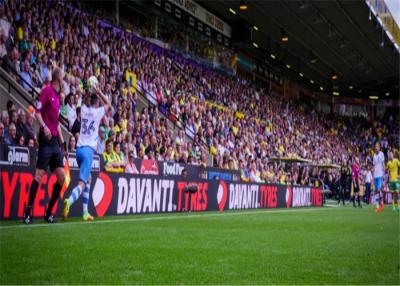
x=157 y=218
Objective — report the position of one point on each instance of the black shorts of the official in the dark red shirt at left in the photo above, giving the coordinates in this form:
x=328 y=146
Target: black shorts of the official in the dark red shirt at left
x=49 y=154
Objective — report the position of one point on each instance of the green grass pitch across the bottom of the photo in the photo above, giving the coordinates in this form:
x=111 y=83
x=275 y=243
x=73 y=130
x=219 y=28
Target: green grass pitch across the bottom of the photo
x=324 y=246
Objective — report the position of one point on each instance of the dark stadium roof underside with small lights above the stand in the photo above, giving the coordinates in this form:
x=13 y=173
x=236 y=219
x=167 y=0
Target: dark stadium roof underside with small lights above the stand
x=324 y=38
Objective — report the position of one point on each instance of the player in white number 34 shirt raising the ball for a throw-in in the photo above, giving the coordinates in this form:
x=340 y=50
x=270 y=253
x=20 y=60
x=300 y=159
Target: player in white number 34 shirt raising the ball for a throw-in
x=91 y=116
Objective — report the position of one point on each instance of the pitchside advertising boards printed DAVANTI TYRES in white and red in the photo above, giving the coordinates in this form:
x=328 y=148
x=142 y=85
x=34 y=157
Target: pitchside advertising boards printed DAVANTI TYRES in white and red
x=157 y=192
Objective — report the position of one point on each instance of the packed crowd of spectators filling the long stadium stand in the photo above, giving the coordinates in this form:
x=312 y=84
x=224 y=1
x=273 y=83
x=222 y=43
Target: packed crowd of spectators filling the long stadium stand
x=241 y=124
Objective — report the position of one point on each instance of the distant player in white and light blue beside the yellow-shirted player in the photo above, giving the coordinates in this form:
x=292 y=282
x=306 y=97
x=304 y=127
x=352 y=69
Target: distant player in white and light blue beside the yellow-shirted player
x=379 y=169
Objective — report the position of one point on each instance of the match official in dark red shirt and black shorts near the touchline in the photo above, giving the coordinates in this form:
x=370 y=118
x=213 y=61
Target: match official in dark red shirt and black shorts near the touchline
x=50 y=140
